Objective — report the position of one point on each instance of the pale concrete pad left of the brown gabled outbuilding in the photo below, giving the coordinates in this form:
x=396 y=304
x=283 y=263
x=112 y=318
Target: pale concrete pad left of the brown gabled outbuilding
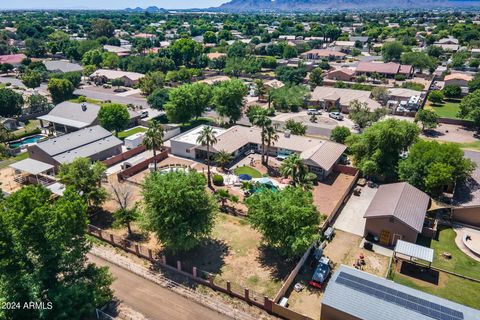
x=351 y=218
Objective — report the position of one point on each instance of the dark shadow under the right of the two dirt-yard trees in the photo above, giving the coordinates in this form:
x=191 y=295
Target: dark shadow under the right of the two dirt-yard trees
x=270 y=259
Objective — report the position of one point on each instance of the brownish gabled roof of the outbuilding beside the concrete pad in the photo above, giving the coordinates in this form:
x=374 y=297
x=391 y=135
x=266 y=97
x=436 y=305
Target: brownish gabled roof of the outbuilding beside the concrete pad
x=402 y=201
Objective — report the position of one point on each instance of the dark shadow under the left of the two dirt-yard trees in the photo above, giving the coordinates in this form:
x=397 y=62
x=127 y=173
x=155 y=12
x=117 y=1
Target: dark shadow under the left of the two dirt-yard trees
x=208 y=256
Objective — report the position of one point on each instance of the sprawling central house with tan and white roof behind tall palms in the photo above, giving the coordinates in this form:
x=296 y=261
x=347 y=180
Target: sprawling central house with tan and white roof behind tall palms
x=319 y=155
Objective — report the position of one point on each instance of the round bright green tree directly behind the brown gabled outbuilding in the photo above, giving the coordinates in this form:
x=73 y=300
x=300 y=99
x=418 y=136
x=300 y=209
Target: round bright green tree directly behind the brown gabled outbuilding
x=432 y=166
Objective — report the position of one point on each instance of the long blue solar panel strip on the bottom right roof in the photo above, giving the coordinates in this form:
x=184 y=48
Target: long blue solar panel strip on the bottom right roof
x=425 y=307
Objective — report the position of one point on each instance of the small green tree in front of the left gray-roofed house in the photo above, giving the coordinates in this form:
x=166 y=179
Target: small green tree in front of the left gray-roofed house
x=85 y=178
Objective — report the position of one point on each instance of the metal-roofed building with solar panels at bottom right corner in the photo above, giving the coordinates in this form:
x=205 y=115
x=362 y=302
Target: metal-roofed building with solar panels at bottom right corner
x=352 y=294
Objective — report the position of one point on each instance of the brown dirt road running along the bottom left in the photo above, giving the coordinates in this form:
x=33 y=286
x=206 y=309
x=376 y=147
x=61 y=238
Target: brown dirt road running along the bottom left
x=152 y=300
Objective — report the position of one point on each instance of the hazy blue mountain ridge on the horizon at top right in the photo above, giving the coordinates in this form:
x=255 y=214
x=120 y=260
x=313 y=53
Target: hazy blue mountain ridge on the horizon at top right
x=320 y=5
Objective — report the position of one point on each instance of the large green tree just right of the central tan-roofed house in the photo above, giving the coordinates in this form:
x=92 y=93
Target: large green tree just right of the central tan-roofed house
x=377 y=150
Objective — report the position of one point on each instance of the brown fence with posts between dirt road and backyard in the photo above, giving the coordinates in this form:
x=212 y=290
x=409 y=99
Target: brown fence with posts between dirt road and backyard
x=198 y=275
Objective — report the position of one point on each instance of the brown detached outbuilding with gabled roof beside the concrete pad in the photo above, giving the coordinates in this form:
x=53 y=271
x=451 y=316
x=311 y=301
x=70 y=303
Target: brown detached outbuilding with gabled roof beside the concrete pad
x=397 y=211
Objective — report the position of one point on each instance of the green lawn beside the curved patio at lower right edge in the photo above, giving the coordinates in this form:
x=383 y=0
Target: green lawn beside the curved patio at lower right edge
x=460 y=262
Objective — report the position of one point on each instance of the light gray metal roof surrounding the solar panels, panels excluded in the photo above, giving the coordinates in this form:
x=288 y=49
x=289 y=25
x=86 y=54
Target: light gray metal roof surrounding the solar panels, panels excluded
x=365 y=306
